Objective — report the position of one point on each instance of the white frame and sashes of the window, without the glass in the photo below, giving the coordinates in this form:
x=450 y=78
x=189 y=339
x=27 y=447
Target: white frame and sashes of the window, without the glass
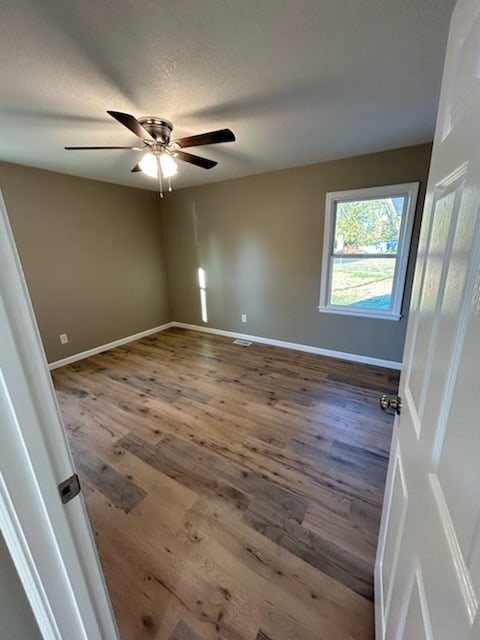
x=410 y=192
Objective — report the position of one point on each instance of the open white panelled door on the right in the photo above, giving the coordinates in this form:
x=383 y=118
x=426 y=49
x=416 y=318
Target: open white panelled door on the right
x=427 y=575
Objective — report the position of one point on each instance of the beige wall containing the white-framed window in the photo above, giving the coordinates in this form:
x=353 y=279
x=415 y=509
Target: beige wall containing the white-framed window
x=260 y=241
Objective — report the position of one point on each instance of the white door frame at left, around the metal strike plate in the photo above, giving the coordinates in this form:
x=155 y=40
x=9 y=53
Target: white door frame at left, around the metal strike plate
x=50 y=543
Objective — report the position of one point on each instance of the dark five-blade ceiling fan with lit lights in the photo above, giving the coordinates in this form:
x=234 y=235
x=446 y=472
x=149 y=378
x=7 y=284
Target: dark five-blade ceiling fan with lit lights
x=160 y=151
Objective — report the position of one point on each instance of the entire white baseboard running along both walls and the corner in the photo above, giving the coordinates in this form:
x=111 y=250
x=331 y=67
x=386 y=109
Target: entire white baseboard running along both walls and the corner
x=352 y=357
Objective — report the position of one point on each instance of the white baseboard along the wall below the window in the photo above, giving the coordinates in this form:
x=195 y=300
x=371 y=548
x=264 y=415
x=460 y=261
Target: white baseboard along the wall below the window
x=352 y=357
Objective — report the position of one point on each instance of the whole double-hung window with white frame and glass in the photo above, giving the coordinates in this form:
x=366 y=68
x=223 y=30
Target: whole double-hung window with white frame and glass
x=365 y=251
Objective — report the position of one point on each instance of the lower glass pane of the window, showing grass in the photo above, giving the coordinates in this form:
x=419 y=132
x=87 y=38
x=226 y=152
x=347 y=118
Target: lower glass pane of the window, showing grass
x=362 y=282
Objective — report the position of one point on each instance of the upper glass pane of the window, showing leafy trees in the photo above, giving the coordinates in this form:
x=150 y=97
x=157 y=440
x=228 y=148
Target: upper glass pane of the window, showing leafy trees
x=368 y=226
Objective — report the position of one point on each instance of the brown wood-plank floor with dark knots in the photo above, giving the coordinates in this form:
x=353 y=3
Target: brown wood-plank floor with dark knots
x=235 y=492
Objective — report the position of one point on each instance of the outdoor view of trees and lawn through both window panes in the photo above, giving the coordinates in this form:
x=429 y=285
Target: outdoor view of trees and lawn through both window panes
x=365 y=252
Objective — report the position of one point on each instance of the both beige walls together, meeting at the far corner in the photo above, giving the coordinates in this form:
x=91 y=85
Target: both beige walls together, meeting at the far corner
x=95 y=255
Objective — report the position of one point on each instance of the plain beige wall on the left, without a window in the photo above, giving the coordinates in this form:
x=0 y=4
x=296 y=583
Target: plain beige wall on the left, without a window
x=92 y=254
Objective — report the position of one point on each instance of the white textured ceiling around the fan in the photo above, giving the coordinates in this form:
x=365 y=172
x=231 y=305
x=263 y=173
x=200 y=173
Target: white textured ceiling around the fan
x=298 y=81
